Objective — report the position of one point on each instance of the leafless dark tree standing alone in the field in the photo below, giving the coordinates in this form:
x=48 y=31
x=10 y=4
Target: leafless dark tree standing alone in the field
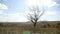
x=35 y=15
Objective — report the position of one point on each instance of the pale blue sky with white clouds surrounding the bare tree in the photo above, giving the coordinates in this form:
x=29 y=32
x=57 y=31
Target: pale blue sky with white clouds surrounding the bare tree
x=16 y=10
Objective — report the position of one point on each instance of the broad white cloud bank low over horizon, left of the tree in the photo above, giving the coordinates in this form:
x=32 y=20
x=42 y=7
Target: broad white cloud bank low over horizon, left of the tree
x=15 y=17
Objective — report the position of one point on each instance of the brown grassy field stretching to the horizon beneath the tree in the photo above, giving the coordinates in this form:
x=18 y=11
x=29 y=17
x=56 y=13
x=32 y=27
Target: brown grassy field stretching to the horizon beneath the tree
x=44 y=27
